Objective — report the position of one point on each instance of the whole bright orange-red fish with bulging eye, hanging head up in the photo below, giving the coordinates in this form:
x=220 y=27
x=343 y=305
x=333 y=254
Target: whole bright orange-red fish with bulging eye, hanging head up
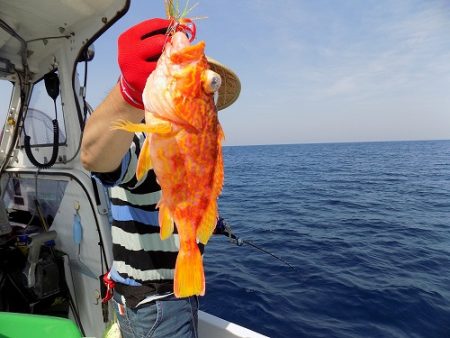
x=184 y=147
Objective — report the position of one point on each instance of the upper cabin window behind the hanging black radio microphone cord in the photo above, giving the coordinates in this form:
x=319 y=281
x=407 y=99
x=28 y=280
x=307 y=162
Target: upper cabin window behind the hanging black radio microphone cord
x=40 y=115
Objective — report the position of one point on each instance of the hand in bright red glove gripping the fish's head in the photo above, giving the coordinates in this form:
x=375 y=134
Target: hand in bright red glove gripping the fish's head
x=139 y=50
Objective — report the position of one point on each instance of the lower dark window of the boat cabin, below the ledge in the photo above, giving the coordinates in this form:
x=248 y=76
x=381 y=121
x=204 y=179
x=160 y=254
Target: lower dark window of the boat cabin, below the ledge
x=20 y=198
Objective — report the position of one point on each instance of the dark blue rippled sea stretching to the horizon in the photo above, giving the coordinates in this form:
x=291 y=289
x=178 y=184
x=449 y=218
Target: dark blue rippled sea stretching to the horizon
x=366 y=226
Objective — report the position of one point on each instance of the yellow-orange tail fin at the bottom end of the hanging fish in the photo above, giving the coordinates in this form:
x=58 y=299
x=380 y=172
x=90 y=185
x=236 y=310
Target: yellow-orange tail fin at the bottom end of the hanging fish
x=189 y=276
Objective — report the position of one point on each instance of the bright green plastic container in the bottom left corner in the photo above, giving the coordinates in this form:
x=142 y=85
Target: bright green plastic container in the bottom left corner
x=21 y=325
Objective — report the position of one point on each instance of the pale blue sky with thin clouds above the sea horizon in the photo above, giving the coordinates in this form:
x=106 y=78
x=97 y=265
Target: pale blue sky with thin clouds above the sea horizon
x=317 y=71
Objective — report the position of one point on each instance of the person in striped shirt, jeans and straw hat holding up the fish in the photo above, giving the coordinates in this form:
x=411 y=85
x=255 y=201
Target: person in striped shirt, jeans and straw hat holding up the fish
x=143 y=265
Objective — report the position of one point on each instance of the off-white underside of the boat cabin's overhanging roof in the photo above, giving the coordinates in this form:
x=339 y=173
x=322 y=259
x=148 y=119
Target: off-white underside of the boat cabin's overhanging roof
x=32 y=31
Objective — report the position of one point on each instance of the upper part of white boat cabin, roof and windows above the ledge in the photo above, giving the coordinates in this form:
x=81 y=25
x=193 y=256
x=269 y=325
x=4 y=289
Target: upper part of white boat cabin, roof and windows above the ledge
x=41 y=44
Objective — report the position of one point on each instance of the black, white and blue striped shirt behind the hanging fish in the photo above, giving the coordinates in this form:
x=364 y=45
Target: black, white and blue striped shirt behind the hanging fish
x=139 y=255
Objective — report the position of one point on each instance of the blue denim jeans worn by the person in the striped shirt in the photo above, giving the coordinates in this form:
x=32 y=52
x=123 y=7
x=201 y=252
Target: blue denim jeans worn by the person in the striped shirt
x=170 y=317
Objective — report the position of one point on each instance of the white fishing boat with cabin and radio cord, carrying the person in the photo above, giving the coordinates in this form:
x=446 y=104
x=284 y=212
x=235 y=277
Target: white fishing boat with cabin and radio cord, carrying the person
x=54 y=218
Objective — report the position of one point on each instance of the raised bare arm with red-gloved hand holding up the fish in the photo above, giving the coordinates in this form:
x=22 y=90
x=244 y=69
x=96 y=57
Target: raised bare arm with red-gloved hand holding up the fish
x=139 y=48
